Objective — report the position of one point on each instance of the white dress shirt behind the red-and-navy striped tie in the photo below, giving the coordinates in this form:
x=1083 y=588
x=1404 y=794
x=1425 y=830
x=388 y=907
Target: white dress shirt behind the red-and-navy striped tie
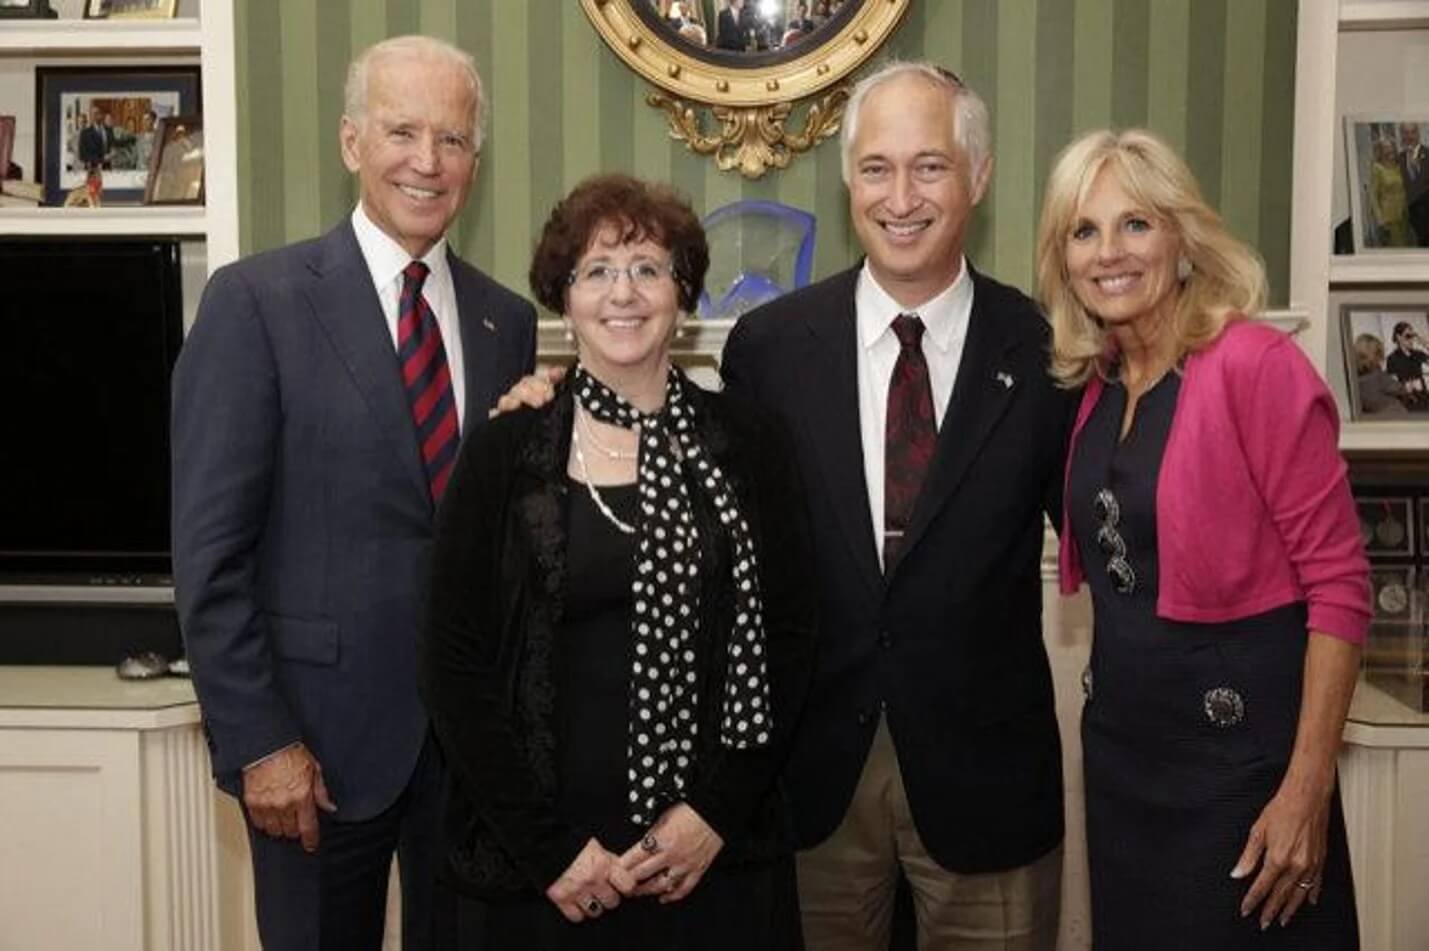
x=387 y=261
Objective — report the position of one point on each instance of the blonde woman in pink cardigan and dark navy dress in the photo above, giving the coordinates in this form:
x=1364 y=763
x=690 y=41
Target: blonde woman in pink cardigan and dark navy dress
x=1210 y=513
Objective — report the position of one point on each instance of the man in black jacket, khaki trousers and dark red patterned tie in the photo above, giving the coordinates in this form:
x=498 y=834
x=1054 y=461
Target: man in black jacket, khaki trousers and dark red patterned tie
x=932 y=443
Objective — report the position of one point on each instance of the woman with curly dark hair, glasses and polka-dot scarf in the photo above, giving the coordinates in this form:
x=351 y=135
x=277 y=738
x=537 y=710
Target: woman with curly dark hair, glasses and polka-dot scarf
x=621 y=628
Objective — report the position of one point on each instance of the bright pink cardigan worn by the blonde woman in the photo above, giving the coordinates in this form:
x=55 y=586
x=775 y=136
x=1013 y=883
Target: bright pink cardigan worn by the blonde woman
x=1253 y=506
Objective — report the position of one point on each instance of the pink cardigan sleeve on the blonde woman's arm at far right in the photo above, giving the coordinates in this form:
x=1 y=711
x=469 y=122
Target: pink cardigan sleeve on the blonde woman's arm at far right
x=1290 y=433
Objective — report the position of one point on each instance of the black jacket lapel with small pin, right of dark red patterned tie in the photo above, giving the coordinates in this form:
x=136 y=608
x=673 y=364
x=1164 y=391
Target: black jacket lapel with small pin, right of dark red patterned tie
x=988 y=382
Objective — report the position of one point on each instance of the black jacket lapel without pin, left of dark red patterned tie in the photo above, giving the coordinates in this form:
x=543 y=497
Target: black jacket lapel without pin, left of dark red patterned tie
x=831 y=385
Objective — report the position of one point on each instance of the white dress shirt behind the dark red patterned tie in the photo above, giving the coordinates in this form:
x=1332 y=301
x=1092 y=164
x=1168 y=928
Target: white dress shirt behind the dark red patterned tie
x=945 y=332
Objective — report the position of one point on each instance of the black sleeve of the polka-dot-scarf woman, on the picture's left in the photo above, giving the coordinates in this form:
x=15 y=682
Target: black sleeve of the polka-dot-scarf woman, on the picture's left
x=469 y=660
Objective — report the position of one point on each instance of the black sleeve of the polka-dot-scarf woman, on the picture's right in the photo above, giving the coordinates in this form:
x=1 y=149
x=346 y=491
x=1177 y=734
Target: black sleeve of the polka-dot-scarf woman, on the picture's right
x=735 y=782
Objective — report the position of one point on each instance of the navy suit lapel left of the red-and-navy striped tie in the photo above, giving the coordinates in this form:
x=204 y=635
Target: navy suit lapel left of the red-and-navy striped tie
x=347 y=306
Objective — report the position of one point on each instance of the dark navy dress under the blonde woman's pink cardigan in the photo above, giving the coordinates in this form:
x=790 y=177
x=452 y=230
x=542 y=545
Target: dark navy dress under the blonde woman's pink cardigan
x=1187 y=730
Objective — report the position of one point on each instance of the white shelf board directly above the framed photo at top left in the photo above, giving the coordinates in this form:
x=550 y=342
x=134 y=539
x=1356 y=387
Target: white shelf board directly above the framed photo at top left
x=101 y=38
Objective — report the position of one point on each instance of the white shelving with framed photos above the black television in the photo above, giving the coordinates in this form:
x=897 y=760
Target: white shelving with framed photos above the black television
x=164 y=69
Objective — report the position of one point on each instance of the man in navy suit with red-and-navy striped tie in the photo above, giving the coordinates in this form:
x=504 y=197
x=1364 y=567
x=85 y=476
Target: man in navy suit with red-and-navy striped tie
x=318 y=405
